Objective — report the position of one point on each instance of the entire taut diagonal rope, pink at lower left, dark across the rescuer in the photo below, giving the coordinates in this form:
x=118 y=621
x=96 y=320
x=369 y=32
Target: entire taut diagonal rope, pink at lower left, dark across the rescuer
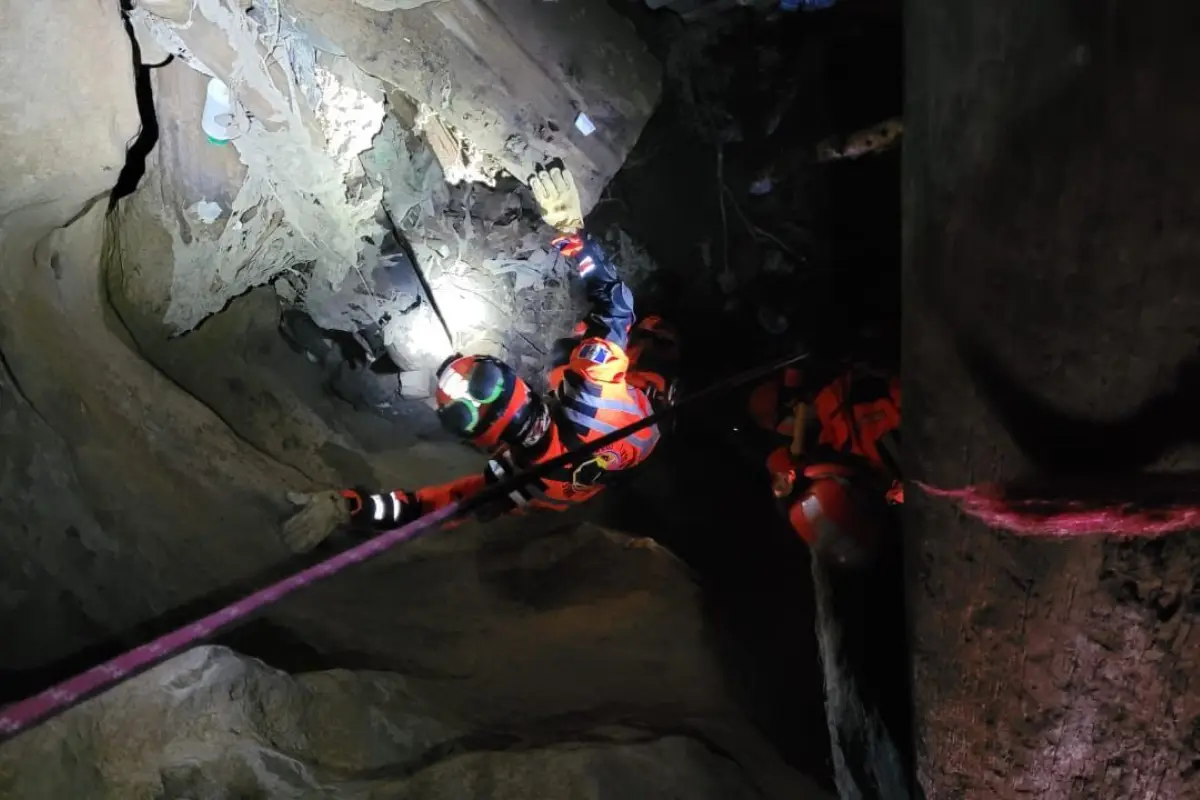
x=26 y=714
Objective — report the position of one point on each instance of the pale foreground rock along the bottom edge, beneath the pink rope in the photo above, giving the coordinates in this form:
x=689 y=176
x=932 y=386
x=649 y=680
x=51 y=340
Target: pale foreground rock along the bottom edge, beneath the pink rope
x=212 y=724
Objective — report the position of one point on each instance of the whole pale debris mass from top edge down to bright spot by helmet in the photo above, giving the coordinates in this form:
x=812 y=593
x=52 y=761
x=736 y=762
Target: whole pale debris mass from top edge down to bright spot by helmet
x=322 y=155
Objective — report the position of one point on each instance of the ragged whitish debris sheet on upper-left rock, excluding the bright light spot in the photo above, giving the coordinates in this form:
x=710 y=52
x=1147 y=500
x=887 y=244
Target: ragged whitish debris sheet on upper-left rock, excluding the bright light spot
x=293 y=207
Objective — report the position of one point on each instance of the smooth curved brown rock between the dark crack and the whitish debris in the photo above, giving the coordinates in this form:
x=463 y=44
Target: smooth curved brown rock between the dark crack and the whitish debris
x=237 y=363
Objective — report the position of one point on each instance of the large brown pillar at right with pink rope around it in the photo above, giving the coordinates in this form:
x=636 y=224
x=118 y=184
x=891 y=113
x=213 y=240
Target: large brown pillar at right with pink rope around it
x=1051 y=304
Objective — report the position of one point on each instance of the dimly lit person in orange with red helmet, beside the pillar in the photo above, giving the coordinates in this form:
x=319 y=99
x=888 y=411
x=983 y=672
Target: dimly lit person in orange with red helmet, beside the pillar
x=842 y=459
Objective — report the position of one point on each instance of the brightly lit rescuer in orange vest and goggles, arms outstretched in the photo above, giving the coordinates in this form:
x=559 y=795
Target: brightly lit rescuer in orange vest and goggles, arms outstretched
x=611 y=375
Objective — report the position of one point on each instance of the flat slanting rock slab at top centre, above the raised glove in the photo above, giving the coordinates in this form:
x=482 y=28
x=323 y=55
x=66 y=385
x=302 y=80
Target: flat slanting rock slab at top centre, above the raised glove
x=511 y=77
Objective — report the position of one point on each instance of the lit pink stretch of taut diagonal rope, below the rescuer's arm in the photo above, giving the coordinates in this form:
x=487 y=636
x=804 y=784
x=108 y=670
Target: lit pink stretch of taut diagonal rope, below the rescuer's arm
x=28 y=713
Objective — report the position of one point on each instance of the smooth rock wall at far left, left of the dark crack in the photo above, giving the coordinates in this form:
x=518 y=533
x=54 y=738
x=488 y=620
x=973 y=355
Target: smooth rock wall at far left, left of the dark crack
x=123 y=496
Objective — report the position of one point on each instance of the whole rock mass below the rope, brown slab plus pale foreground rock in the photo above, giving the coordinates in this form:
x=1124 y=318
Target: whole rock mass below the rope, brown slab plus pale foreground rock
x=544 y=671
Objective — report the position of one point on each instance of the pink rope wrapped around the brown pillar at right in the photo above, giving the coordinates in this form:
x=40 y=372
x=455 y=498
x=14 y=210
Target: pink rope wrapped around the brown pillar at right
x=1130 y=507
